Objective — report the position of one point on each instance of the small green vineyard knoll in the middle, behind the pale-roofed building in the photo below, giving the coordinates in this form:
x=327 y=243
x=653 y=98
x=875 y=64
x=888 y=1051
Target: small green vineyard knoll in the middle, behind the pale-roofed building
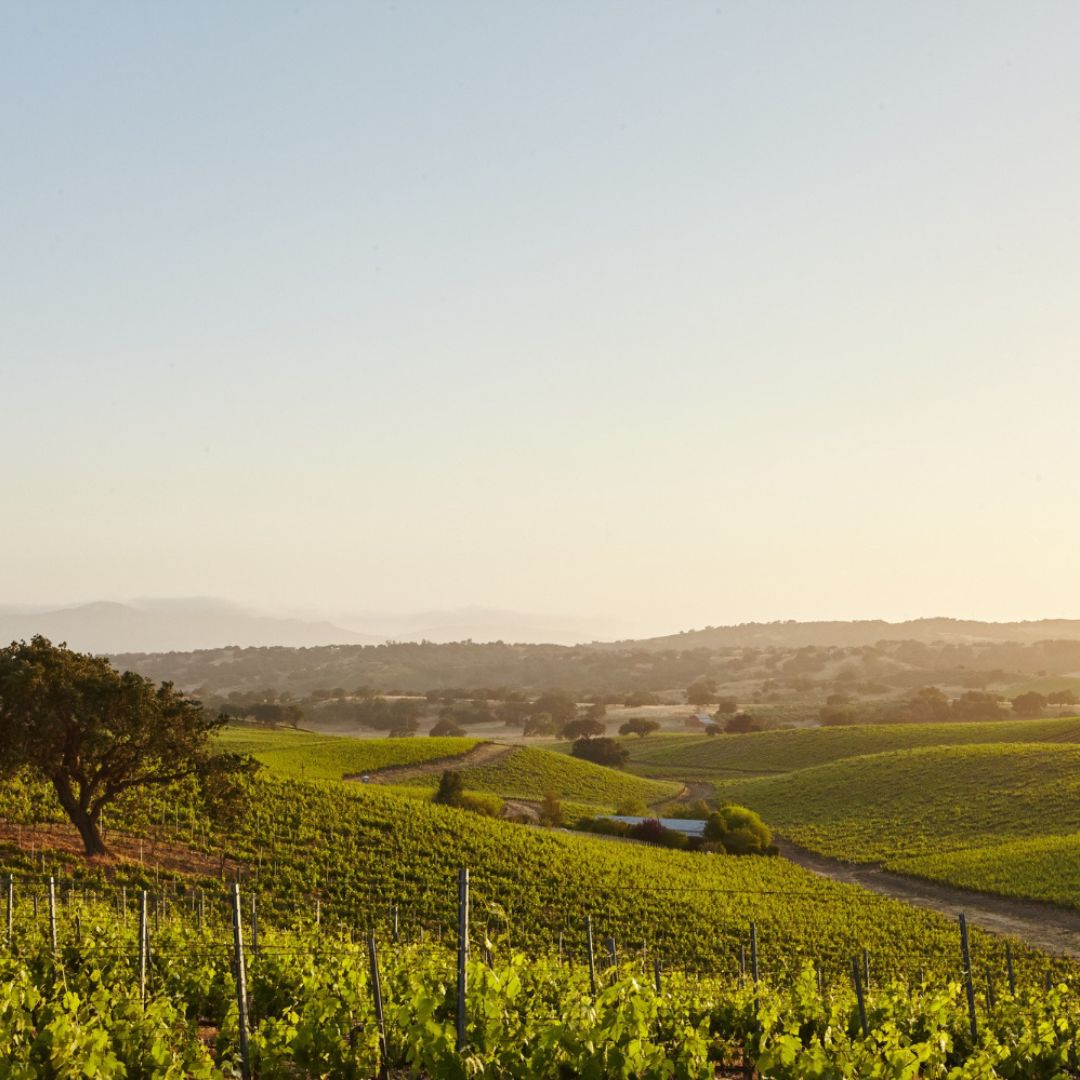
x=530 y=773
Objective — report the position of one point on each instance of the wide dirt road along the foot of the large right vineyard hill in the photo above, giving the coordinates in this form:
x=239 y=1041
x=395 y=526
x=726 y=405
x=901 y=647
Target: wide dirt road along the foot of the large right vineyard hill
x=1046 y=927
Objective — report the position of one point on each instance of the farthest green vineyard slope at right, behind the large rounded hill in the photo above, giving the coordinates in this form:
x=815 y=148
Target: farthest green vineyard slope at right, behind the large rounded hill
x=700 y=758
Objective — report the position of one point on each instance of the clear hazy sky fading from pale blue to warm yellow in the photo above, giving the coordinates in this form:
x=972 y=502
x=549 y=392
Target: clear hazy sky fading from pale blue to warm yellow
x=679 y=314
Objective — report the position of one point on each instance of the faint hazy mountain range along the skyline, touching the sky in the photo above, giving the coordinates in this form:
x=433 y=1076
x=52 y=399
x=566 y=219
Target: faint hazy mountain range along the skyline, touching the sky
x=182 y=626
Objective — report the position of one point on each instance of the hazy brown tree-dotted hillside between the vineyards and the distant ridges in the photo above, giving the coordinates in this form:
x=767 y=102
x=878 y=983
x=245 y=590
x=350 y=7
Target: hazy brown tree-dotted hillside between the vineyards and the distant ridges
x=774 y=674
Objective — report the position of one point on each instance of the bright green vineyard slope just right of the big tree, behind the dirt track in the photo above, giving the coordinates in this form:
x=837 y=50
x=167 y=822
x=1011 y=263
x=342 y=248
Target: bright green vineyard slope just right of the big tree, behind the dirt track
x=304 y=755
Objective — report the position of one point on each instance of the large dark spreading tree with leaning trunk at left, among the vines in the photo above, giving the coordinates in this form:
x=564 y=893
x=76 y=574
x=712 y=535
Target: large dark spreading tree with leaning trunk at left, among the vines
x=94 y=733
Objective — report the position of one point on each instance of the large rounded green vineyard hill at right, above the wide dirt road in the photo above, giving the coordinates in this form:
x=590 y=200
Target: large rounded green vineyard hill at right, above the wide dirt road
x=992 y=817
